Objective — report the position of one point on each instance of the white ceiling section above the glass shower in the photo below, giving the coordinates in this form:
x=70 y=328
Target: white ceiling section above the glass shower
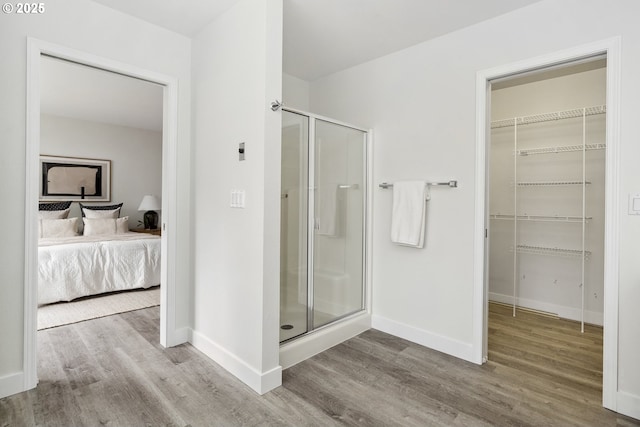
x=322 y=37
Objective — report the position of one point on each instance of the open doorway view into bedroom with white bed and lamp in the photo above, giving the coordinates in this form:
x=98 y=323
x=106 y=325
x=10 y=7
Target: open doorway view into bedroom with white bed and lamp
x=99 y=194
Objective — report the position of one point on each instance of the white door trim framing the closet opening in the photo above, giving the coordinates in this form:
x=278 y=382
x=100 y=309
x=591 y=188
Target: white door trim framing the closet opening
x=612 y=49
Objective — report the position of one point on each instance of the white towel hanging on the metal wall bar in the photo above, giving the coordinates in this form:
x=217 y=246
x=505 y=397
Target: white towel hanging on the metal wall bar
x=408 y=217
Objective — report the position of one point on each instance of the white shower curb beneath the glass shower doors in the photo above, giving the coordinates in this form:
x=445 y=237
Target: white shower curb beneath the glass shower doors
x=305 y=347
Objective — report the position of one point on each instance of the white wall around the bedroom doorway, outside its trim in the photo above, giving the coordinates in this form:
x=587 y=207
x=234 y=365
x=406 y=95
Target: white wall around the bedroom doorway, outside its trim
x=99 y=30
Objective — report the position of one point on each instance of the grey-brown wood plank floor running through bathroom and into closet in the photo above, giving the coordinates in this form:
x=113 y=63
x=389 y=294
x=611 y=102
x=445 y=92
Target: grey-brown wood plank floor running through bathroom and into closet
x=113 y=372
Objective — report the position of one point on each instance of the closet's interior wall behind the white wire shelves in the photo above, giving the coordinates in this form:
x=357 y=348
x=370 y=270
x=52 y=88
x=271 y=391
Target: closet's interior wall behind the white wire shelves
x=549 y=283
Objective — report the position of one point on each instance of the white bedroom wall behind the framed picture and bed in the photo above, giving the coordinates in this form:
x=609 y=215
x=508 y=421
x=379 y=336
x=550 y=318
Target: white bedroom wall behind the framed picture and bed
x=135 y=155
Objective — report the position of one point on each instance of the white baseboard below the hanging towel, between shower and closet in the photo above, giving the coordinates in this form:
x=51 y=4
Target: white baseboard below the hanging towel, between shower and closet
x=446 y=345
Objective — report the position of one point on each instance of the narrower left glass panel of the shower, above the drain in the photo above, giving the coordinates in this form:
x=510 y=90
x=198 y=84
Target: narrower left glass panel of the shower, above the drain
x=294 y=197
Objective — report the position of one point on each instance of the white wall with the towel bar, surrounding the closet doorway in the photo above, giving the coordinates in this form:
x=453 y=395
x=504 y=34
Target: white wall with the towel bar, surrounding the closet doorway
x=421 y=103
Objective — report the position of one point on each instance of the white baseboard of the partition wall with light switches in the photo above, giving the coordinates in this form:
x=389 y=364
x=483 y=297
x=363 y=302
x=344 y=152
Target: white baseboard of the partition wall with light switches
x=261 y=382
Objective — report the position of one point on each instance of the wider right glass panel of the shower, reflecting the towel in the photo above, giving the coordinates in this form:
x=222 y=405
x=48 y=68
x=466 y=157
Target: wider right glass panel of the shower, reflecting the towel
x=338 y=255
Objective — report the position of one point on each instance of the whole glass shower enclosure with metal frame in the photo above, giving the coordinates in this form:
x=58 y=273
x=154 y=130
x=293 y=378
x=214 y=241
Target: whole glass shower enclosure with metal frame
x=323 y=200
